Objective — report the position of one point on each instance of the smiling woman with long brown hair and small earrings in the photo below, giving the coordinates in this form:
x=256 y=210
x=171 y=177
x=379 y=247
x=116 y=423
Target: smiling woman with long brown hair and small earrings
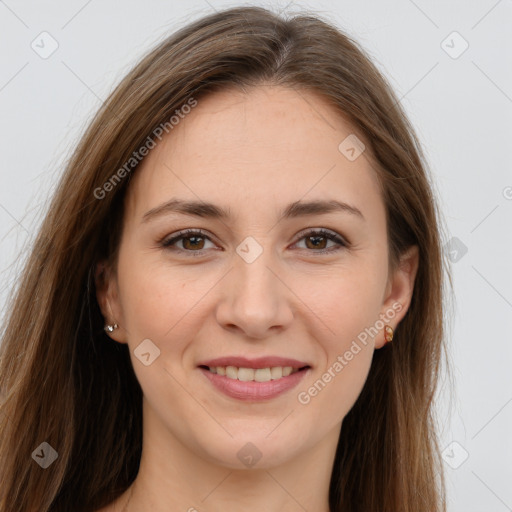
x=235 y=299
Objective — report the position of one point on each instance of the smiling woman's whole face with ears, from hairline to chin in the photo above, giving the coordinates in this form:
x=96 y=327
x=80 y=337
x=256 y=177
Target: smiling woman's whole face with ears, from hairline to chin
x=272 y=278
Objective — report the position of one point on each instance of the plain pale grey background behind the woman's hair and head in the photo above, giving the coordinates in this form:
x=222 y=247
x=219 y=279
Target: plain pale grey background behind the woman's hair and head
x=459 y=102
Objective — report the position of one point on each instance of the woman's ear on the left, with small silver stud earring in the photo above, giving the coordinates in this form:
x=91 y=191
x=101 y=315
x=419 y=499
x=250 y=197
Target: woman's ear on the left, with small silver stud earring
x=108 y=300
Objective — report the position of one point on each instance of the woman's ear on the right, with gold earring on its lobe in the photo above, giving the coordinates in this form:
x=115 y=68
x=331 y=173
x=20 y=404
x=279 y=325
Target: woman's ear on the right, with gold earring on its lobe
x=399 y=290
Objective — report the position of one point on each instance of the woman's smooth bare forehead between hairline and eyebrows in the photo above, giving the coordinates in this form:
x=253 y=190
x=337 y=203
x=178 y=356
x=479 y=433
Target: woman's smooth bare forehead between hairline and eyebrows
x=268 y=146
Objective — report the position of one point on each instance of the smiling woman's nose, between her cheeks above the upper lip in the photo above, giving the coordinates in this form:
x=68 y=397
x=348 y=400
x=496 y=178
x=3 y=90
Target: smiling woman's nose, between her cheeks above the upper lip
x=255 y=298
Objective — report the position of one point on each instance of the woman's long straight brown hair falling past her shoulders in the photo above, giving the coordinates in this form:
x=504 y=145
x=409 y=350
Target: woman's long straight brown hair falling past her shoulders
x=65 y=383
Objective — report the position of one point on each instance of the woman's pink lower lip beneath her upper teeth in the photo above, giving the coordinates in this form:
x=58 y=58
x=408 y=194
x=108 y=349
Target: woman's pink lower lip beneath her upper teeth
x=253 y=391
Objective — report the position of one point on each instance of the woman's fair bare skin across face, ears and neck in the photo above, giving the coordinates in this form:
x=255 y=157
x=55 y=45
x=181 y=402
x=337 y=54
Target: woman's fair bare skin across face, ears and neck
x=255 y=153
